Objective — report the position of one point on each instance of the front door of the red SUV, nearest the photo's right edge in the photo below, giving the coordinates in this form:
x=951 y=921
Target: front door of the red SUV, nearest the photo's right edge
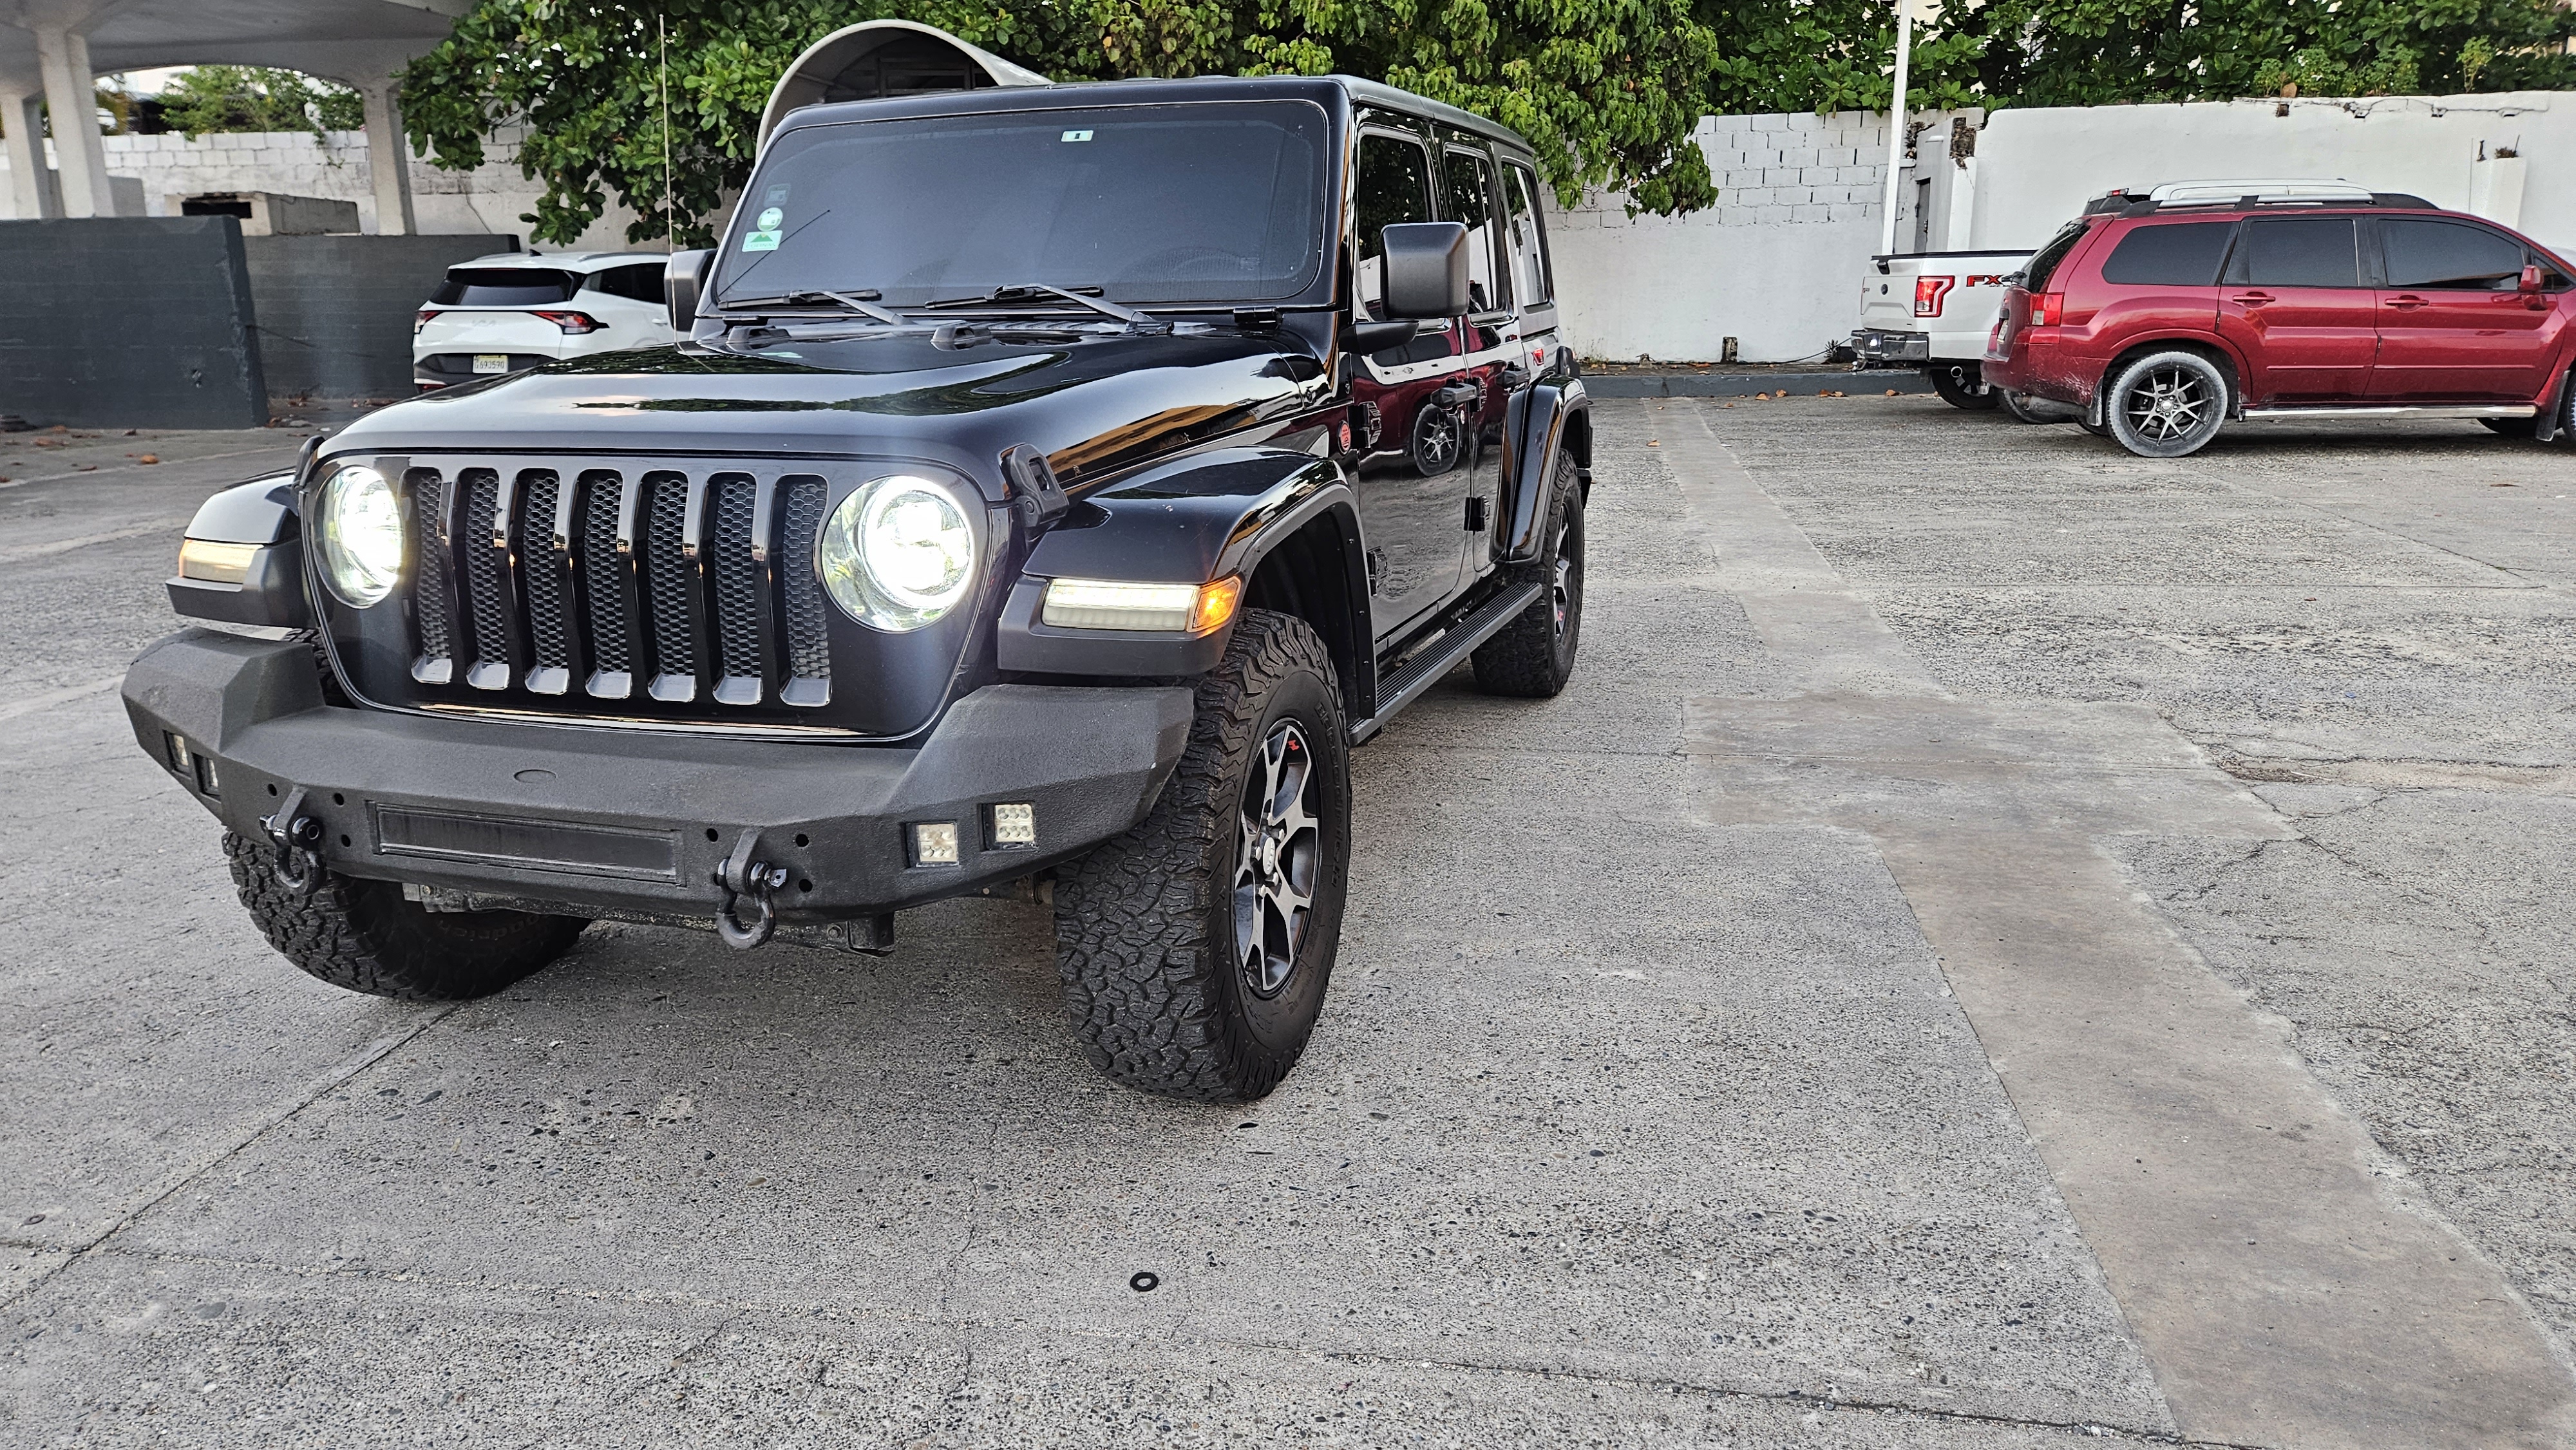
x=2454 y=321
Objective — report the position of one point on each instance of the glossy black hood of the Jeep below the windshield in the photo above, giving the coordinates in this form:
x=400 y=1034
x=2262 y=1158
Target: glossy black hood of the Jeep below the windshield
x=1091 y=406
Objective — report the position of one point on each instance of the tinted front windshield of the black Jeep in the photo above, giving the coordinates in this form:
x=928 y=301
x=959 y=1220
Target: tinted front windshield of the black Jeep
x=1186 y=202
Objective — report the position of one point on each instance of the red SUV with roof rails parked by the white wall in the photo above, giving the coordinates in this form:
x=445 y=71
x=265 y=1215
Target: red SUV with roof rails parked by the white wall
x=2170 y=313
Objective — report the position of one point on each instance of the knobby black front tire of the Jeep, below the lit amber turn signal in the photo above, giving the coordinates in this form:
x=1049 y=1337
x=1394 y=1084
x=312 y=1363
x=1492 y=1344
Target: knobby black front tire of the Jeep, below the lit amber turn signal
x=1148 y=936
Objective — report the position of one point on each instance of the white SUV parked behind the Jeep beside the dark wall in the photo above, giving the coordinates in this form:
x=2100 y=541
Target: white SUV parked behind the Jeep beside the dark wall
x=516 y=310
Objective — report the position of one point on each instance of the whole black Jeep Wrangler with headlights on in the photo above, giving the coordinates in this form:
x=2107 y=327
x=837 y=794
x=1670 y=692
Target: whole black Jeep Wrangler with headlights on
x=1055 y=488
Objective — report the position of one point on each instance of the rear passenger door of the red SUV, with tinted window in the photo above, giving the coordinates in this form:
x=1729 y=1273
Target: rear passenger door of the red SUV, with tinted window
x=2299 y=310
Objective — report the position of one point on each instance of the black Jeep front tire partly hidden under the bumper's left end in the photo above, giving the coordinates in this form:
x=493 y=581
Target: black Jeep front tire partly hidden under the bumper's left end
x=367 y=939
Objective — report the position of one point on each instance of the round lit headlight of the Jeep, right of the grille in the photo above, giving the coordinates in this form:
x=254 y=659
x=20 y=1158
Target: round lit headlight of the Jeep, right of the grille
x=898 y=552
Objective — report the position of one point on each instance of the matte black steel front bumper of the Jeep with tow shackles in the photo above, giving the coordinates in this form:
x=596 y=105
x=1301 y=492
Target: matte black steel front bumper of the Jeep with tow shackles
x=630 y=823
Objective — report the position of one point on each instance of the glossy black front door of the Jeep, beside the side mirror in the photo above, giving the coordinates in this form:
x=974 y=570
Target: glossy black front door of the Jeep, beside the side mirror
x=1416 y=424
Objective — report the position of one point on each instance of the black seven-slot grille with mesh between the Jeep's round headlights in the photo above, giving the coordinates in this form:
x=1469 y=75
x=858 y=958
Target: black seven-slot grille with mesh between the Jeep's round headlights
x=689 y=594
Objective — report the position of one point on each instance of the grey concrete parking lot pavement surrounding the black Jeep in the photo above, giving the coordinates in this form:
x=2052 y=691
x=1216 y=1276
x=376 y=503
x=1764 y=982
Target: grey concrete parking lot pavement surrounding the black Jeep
x=1668 y=1091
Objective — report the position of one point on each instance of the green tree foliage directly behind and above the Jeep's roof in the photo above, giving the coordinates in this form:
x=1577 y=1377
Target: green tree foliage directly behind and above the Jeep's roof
x=1606 y=89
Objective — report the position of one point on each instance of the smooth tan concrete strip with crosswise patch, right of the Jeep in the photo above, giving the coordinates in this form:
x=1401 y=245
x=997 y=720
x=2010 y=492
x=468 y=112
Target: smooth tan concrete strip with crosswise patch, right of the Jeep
x=2284 y=1284
